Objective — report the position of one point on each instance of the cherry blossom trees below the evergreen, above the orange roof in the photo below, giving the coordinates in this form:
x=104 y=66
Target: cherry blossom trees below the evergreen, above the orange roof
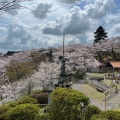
x=107 y=48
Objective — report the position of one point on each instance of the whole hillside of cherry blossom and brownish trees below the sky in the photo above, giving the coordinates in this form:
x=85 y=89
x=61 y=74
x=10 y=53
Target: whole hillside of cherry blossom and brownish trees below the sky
x=22 y=71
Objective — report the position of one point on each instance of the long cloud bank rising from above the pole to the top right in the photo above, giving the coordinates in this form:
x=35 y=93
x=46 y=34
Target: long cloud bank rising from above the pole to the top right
x=79 y=21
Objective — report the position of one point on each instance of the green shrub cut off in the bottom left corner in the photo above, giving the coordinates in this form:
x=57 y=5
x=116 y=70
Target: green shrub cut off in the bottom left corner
x=3 y=112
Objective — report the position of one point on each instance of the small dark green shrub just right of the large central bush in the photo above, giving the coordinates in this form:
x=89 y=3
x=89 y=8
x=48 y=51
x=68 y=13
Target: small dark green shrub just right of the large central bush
x=91 y=110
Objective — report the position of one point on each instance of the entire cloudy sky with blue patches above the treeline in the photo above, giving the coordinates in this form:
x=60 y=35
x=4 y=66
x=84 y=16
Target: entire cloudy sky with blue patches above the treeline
x=41 y=23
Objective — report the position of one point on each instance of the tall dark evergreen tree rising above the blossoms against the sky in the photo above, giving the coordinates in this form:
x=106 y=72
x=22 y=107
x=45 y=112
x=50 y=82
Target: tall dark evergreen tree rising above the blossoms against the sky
x=100 y=34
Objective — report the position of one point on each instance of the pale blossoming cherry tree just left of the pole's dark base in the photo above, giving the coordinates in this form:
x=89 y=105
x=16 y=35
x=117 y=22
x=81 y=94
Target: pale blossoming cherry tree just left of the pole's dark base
x=47 y=72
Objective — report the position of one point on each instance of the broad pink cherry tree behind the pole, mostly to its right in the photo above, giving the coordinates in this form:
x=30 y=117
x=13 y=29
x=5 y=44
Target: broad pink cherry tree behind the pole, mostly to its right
x=80 y=56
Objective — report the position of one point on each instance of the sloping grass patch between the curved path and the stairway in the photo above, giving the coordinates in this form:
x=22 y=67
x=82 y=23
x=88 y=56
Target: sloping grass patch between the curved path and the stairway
x=93 y=93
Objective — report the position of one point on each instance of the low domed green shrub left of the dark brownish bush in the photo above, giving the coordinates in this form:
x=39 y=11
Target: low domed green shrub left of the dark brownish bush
x=26 y=99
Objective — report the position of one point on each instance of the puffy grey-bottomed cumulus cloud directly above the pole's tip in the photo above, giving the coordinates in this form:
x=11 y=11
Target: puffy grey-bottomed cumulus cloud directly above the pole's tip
x=74 y=22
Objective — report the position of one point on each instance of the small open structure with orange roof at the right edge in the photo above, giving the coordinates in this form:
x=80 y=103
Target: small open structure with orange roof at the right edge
x=112 y=67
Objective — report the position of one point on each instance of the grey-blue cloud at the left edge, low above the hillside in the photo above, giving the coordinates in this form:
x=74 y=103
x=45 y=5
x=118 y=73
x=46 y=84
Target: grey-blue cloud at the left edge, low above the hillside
x=16 y=38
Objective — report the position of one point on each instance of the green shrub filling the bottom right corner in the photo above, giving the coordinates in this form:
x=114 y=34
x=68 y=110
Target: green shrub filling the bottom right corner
x=113 y=115
